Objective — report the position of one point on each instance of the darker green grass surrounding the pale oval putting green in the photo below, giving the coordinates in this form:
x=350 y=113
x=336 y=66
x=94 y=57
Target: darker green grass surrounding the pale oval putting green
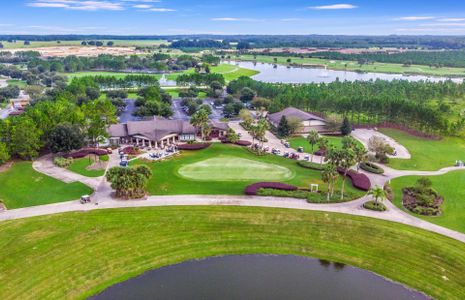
x=166 y=179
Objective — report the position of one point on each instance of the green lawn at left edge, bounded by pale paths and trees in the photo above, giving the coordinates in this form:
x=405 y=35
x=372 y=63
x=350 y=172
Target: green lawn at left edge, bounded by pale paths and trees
x=22 y=186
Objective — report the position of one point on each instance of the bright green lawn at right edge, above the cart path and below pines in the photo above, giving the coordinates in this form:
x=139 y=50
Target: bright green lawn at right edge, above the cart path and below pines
x=427 y=155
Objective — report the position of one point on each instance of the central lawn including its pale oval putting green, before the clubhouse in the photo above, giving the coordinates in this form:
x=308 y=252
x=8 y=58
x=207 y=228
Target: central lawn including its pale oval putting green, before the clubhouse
x=167 y=178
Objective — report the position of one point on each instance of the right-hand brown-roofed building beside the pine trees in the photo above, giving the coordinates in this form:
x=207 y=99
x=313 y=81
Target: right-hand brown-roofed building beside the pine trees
x=309 y=121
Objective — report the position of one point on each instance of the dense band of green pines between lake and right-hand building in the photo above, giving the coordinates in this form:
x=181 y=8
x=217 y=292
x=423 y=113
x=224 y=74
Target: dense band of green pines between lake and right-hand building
x=399 y=101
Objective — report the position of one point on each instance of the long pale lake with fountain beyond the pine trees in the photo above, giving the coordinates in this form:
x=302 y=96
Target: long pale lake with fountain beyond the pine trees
x=283 y=74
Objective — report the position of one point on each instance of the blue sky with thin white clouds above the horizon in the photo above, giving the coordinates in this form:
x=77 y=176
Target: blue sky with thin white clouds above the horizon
x=144 y=17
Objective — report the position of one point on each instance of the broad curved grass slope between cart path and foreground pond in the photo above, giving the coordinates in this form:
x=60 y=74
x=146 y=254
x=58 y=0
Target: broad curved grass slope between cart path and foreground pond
x=75 y=255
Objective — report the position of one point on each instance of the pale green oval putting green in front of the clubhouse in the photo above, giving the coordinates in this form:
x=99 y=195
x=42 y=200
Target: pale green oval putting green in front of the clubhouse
x=231 y=168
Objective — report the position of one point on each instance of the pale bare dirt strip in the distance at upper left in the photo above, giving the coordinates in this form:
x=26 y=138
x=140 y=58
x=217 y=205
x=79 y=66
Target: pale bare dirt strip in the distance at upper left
x=88 y=51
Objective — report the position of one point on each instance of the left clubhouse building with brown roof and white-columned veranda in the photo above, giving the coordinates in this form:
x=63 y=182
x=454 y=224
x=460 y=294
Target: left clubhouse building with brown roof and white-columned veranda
x=158 y=133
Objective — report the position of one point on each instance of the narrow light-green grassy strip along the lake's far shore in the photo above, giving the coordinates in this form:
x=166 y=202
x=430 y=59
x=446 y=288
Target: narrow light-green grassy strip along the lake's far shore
x=354 y=66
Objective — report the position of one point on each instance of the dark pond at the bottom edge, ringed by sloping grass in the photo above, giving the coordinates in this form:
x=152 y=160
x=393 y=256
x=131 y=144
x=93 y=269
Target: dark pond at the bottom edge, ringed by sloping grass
x=258 y=277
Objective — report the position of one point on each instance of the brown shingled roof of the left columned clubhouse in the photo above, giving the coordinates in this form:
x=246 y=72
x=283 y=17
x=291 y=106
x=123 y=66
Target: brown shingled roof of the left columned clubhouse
x=154 y=129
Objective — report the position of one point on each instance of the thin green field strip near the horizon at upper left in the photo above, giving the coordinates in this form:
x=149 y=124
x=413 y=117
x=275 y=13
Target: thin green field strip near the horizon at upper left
x=118 y=43
